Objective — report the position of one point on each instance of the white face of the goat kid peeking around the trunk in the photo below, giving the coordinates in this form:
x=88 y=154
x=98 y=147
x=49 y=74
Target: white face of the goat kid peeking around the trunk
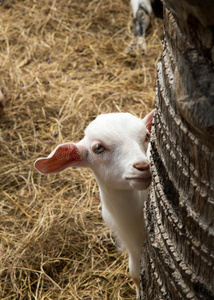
x=117 y=144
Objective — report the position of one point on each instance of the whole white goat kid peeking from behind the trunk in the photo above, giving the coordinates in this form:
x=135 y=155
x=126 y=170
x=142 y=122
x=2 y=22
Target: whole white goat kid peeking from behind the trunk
x=115 y=148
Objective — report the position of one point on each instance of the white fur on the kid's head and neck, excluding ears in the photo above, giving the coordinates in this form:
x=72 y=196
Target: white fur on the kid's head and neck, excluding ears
x=122 y=199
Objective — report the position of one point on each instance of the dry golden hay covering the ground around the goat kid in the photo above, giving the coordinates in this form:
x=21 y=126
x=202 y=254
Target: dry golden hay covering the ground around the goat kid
x=61 y=64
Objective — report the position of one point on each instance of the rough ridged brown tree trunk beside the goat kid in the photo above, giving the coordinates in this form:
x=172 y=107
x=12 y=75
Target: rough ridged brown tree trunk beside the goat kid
x=178 y=257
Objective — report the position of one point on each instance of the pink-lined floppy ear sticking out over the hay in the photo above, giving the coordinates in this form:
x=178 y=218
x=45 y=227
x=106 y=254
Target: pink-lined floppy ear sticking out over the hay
x=63 y=156
